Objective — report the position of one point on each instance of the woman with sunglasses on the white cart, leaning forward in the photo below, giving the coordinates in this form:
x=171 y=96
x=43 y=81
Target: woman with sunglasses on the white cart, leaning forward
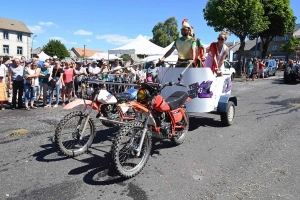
x=217 y=53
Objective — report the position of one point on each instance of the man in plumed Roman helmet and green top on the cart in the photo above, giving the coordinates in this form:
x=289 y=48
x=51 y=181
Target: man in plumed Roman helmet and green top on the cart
x=185 y=45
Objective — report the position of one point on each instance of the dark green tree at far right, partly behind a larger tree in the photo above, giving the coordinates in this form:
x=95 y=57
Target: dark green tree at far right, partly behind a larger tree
x=282 y=21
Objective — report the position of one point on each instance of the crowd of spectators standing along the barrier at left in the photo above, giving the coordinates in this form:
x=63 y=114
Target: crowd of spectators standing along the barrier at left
x=28 y=84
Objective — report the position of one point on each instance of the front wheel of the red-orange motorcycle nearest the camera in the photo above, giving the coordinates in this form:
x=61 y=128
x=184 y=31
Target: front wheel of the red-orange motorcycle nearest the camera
x=124 y=155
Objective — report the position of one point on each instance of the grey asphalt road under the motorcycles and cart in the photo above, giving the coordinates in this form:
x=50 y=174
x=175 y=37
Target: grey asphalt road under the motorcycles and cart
x=255 y=158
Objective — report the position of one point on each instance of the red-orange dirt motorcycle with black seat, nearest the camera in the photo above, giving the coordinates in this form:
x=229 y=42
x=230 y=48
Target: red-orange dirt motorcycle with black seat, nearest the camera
x=155 y=114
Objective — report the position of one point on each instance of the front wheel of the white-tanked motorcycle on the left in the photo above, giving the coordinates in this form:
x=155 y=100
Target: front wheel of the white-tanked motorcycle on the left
x=68 y=133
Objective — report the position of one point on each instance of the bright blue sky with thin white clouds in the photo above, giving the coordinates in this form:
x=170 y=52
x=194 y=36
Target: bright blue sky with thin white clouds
x=105 y=25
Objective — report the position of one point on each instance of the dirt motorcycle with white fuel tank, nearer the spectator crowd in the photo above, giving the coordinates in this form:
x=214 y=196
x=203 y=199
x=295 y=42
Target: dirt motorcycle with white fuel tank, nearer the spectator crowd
x=113 y=110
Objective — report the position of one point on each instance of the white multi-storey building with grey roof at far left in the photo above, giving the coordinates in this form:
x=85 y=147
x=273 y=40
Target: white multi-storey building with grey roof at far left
x=15 y=39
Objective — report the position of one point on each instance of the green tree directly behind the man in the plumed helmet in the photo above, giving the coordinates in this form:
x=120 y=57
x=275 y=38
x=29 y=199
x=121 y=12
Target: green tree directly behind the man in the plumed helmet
x=164 y=33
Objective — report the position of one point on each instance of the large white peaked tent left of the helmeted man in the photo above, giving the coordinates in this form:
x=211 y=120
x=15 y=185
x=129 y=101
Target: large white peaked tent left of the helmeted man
x=139 y=45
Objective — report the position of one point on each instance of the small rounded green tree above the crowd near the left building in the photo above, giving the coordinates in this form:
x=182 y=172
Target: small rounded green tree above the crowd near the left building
x=55 y=47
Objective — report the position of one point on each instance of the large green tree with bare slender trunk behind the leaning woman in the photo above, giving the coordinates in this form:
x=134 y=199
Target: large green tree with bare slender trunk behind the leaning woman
x=240 y=17
